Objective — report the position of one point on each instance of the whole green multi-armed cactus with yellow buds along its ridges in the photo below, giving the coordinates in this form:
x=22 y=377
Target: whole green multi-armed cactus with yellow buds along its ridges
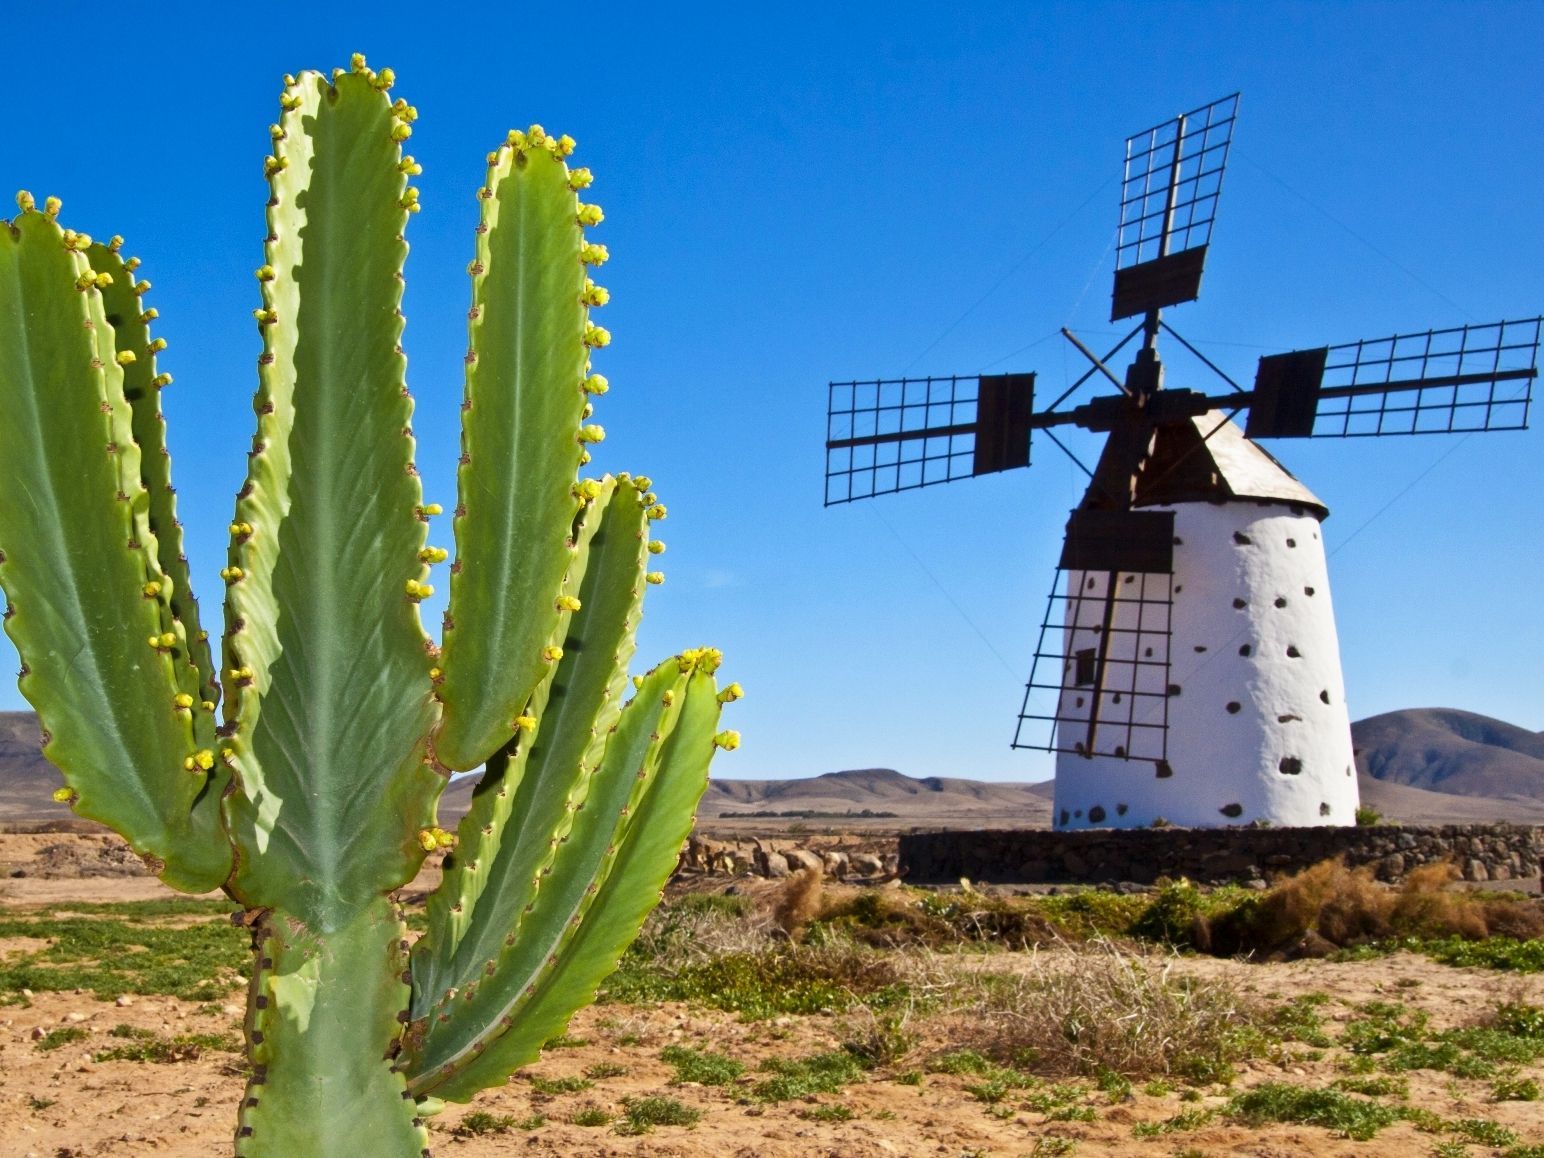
x=310 y=793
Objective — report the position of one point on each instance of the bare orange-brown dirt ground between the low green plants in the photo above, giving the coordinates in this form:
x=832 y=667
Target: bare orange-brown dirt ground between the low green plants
x=63 y=1105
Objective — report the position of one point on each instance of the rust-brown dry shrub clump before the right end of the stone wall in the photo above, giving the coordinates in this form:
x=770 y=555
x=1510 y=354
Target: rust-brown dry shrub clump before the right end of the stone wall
x=1330 y=906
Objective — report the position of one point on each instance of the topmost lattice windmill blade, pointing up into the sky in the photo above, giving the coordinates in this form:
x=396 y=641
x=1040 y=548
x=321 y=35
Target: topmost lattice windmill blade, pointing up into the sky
x=1174 y=177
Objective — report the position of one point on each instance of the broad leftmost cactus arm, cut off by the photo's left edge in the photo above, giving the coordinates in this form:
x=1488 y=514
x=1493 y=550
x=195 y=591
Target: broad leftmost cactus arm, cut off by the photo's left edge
x=80 y=567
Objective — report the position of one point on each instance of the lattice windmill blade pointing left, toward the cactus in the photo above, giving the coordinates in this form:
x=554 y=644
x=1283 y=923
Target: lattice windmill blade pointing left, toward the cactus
x=898 y=435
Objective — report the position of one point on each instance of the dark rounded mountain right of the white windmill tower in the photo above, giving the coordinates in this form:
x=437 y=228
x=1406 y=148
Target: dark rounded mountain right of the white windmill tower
x=1447 y=751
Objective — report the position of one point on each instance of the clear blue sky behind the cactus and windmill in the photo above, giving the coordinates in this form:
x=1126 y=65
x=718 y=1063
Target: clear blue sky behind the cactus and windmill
x=808 y=192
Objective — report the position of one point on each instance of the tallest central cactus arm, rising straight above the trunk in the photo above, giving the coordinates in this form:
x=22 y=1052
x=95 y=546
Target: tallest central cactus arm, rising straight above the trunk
x=331 y=706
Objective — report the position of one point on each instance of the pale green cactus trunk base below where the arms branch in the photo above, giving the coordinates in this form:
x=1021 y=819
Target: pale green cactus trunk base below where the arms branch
x=322 y=1018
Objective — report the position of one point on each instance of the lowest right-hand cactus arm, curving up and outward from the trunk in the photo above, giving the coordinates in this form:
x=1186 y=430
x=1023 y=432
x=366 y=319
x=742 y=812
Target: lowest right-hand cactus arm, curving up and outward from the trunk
x=604 y=879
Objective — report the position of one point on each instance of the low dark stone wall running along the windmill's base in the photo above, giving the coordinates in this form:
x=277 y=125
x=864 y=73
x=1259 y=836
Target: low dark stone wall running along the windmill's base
x=1214 y=856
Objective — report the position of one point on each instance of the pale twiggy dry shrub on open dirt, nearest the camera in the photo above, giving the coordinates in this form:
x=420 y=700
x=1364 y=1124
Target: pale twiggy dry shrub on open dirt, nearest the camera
x=1097 y=1007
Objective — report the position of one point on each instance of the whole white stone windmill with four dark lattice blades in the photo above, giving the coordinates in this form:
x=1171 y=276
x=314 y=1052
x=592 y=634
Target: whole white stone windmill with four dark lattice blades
x=1188 y=665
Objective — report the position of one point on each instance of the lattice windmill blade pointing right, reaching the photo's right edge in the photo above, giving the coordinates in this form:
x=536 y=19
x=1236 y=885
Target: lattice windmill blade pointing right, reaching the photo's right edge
x=1438 y=382
